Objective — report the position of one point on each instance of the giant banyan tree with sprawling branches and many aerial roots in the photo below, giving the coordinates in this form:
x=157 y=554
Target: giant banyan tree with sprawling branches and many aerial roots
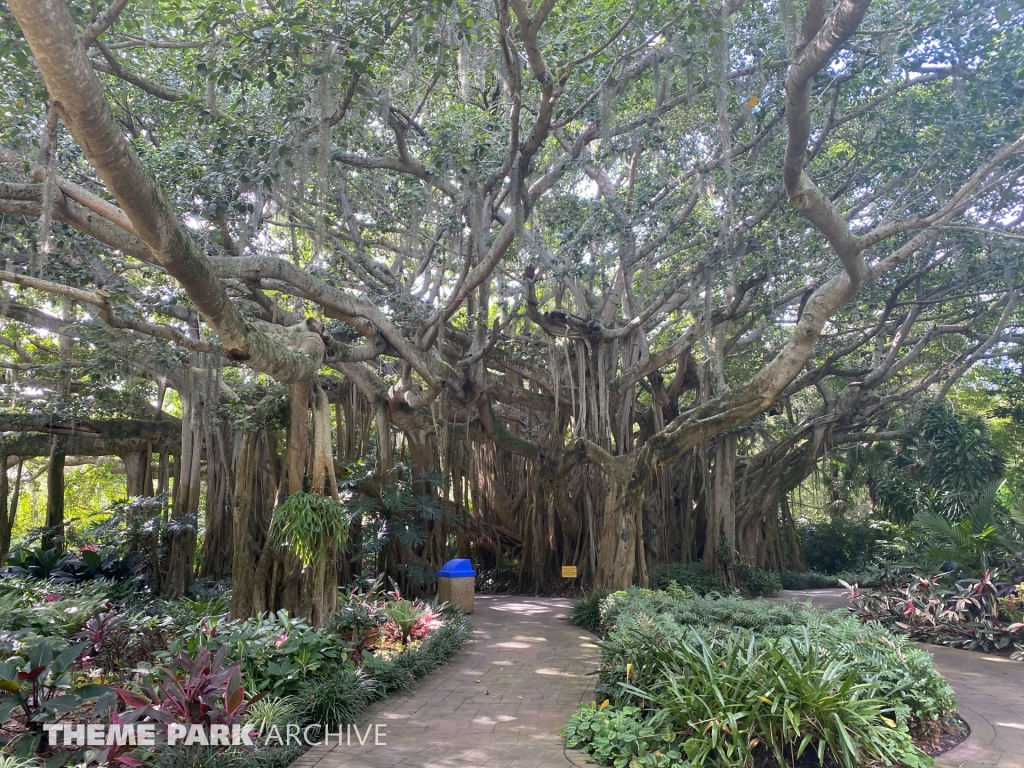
x=604 y=283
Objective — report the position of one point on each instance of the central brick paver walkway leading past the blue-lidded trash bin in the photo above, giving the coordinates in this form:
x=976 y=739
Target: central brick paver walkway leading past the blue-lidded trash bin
x=500 y=704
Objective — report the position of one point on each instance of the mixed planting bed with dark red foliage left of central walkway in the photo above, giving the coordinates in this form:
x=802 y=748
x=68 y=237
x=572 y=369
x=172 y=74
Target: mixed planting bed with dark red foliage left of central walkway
x=103 y=652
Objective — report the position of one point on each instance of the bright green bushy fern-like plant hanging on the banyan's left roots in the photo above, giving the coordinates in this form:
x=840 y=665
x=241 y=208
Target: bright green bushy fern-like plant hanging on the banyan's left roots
x=313 y=527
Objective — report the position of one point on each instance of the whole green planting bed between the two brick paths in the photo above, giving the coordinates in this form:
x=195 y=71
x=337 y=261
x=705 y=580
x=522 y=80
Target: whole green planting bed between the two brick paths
x=690 y=680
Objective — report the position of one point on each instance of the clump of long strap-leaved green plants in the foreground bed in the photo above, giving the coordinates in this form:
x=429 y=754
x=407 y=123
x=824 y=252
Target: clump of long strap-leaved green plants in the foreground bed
x=731 y=700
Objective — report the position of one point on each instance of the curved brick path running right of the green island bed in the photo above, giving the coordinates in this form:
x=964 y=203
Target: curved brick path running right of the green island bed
x=990 y=697
